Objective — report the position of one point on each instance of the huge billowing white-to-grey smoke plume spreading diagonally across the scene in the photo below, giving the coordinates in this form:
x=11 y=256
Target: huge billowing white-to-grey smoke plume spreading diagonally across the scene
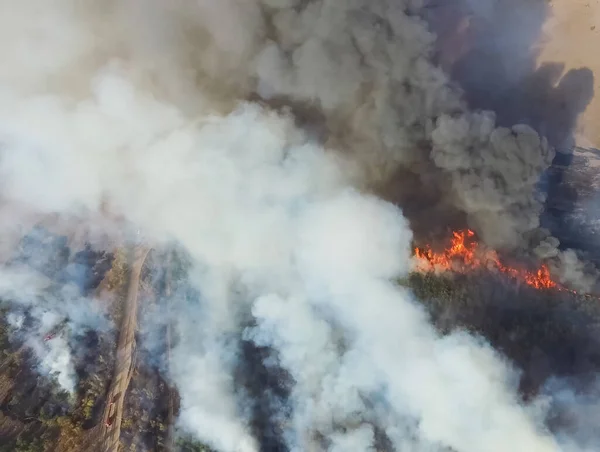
x=254 y=134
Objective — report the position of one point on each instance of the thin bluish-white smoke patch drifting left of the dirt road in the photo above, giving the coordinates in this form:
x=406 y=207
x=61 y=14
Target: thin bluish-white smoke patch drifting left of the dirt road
x=45 y=286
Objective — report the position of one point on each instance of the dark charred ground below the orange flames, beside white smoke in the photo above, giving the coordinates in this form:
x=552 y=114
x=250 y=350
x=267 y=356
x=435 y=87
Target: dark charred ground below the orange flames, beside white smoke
x=551 y=336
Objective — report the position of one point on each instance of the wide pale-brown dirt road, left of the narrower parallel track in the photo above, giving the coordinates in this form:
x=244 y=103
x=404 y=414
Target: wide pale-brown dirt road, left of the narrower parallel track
x=124 y=362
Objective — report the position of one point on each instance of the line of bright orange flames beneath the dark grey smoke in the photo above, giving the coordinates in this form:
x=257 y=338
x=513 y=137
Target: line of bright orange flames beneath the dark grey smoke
x=465 y=254
